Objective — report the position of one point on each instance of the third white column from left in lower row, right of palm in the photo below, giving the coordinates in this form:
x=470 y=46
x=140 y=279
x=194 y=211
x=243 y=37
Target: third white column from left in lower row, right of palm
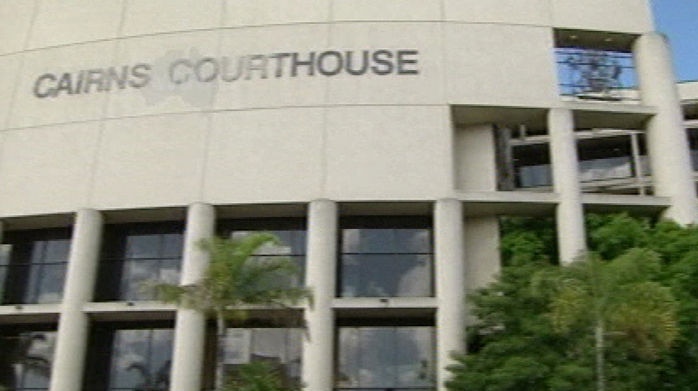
x=321 y=271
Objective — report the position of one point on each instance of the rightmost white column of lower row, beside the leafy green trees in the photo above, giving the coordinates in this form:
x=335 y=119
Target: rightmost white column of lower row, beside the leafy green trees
x=449 y=265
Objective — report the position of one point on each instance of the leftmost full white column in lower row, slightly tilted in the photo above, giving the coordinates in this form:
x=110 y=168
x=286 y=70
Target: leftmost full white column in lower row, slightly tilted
x=73 y=327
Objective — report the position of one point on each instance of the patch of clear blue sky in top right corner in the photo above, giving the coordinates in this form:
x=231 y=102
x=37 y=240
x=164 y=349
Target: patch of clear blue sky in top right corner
x=679 y=20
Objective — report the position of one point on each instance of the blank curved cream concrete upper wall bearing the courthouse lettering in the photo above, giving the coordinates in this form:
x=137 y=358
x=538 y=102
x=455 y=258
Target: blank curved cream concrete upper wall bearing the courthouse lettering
x=159 y=137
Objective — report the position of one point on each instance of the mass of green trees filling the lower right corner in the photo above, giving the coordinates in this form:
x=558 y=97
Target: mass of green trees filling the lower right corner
x=536 y=321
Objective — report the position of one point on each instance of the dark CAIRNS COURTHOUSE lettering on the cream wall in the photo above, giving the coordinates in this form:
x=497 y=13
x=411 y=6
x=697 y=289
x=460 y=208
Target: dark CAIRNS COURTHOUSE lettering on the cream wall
x=230 y=69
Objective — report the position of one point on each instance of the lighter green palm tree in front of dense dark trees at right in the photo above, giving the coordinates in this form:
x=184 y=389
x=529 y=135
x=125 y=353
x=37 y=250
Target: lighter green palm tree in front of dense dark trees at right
x=614 y=299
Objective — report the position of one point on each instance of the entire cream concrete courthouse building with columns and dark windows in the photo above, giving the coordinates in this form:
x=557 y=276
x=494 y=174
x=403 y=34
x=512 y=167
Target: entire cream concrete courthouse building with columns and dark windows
x=381 y=140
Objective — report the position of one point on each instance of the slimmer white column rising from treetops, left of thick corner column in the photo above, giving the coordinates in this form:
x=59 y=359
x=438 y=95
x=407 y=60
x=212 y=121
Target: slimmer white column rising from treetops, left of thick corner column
x=563 y=156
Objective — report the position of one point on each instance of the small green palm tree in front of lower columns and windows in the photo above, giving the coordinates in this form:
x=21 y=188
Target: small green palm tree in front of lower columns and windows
x=235 y=279
